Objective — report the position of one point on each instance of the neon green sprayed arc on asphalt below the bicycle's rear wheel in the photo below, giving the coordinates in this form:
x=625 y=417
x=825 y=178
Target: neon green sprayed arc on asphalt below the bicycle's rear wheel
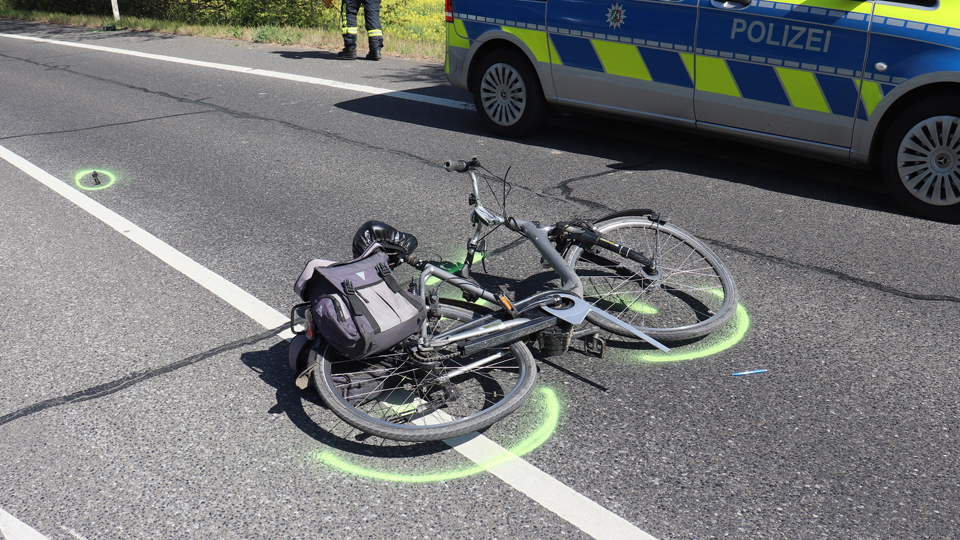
x=534 y=441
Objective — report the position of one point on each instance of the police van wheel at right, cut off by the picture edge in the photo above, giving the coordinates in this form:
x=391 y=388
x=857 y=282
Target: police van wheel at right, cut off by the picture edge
x=920 y=158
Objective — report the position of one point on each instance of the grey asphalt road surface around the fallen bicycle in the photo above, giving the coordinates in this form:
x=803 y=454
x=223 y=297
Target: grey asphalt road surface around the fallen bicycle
x=144 y=391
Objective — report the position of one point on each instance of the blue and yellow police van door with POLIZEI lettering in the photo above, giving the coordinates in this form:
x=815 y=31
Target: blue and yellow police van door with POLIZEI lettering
x=787 y=68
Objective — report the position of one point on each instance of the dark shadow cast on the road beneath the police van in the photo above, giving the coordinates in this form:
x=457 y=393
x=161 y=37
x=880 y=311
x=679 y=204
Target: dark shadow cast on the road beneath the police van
x=629 y=146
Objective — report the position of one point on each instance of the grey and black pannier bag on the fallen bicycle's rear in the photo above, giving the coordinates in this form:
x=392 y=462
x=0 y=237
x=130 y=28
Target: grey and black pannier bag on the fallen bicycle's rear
x=358 y=307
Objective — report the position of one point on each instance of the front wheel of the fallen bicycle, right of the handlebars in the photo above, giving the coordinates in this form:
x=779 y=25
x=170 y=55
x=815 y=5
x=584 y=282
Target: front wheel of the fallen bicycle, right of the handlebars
x=687 y=293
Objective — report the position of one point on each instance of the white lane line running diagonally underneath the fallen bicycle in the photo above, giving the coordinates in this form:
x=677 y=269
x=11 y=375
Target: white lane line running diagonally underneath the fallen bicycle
x=570 y=505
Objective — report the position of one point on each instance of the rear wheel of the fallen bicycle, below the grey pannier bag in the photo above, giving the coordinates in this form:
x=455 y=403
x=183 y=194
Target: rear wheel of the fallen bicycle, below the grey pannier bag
x=485 y=395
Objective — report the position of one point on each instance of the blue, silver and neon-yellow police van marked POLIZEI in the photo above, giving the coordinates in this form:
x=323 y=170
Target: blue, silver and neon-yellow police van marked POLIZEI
x=869 y=83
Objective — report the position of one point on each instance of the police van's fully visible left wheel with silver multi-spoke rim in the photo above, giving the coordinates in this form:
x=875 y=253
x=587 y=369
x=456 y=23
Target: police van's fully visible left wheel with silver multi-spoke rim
x=508 y=94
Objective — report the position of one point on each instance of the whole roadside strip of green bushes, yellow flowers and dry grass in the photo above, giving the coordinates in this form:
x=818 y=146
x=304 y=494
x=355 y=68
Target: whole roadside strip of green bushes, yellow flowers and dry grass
x=412 y=28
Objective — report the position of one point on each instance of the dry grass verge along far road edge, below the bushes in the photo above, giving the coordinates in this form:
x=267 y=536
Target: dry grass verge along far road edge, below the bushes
x=414 y=37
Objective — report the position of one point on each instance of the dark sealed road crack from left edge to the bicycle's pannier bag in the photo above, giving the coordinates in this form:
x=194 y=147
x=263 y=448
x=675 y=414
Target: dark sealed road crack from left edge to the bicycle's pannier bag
x=112 y=387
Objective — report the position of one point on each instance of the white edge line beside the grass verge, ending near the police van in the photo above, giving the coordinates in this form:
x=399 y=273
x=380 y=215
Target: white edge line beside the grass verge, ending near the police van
x=362 y=88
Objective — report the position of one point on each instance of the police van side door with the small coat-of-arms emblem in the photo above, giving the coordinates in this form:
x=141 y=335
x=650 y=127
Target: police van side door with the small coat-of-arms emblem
x=633 y=57
